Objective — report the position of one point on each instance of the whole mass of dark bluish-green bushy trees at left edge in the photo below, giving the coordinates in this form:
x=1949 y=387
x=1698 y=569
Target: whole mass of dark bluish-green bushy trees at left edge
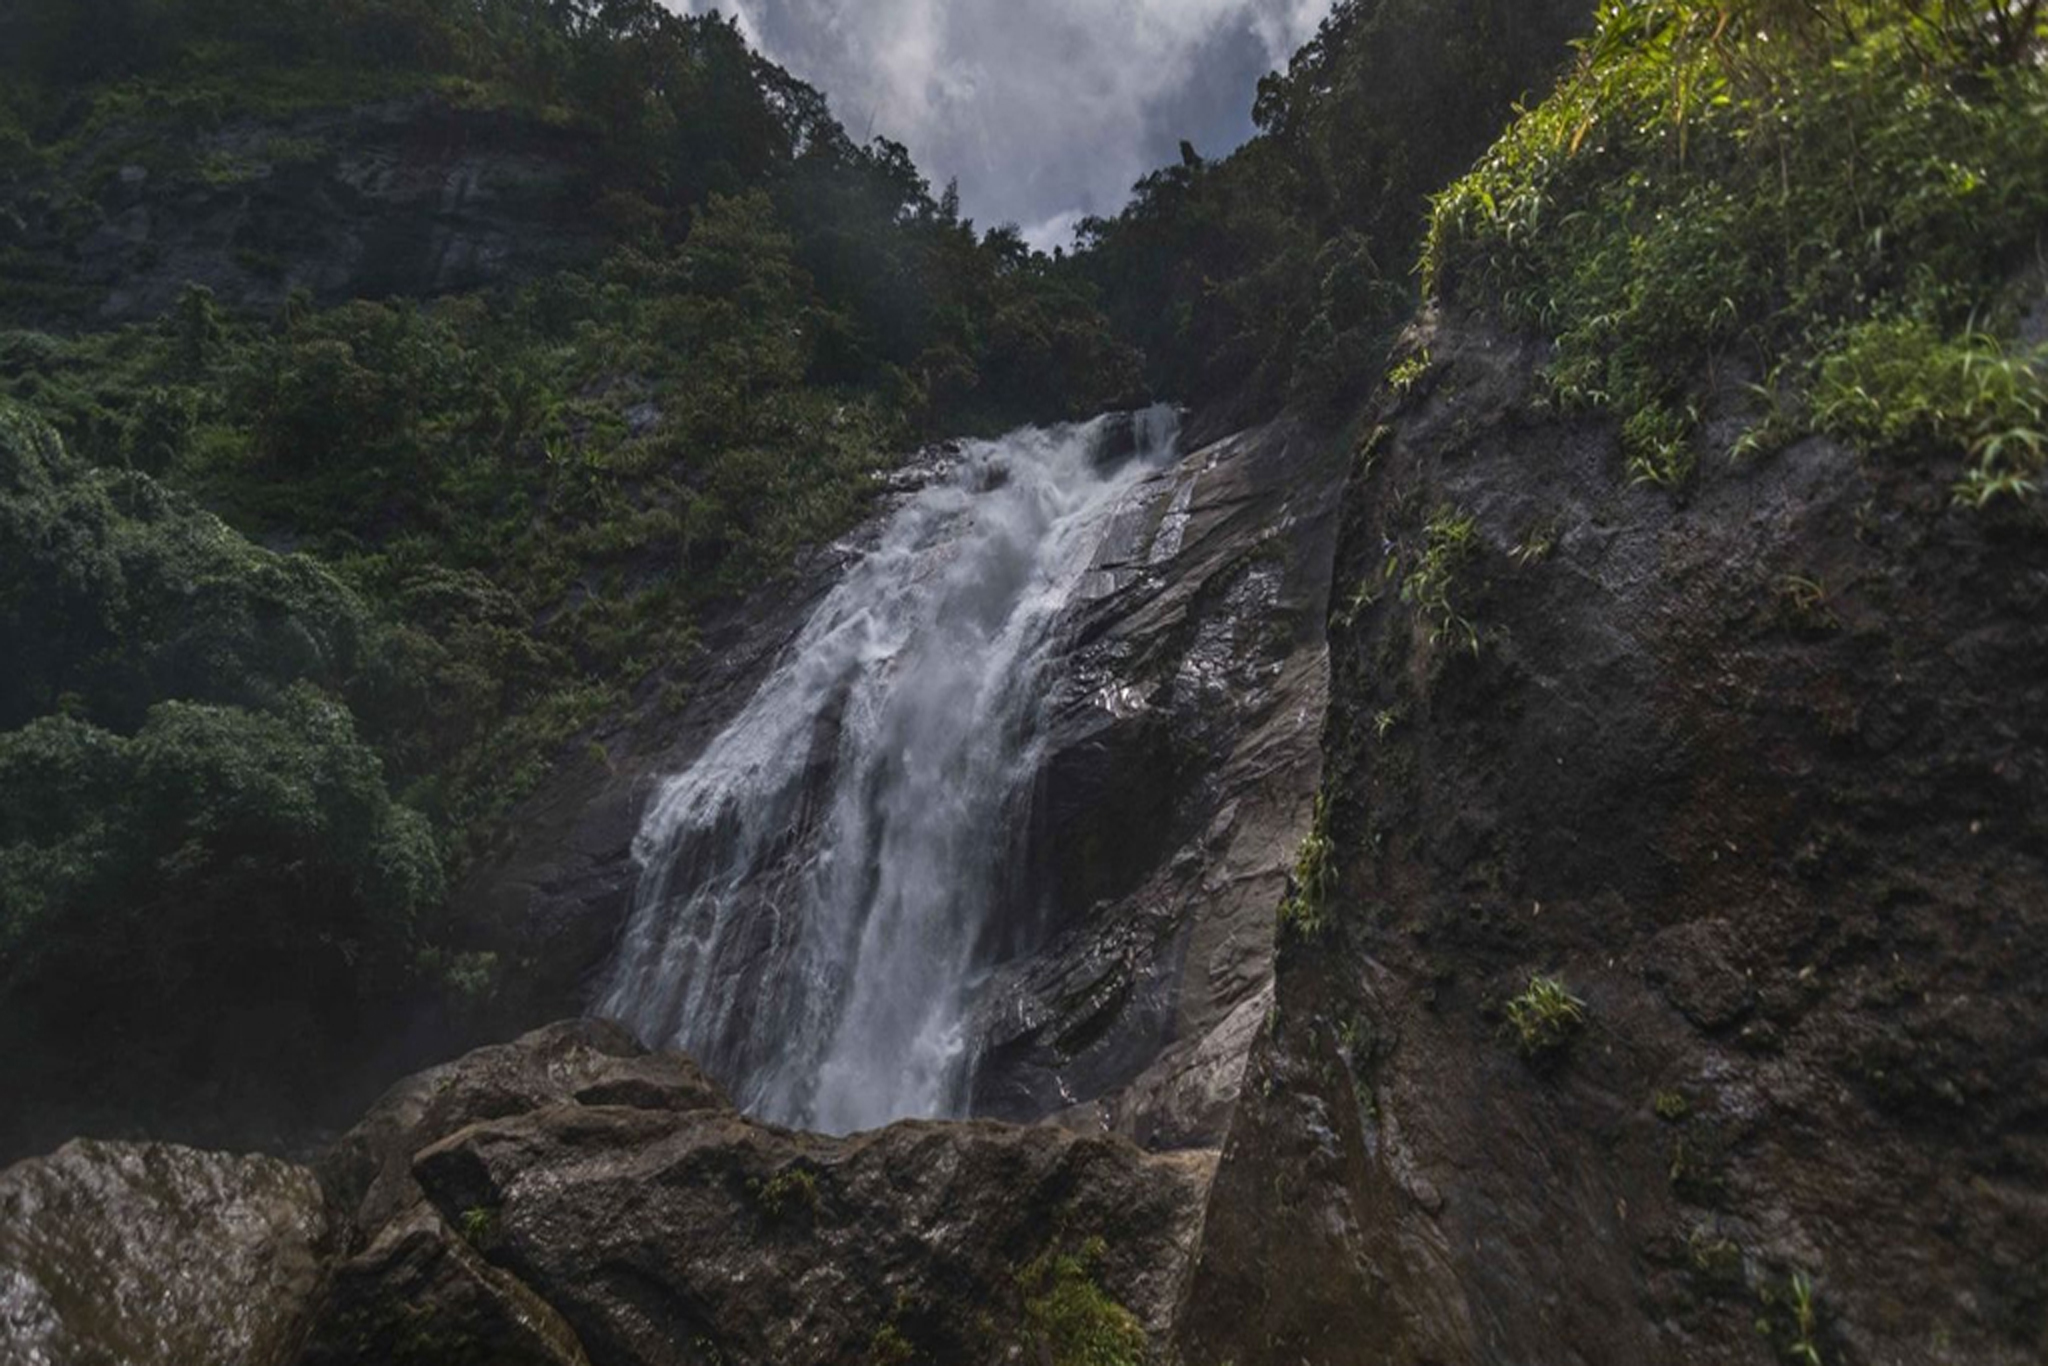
x=189 y=812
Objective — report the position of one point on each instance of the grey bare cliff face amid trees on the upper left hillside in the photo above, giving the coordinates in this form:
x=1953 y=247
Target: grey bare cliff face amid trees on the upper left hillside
x=404 y=198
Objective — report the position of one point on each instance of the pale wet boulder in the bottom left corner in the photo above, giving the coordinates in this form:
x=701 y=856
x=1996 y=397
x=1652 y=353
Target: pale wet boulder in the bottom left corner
x=120 y=1254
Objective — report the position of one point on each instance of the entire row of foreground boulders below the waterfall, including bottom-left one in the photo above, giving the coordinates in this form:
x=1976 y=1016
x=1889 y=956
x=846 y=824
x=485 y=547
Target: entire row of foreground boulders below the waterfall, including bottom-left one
x=574 y=1201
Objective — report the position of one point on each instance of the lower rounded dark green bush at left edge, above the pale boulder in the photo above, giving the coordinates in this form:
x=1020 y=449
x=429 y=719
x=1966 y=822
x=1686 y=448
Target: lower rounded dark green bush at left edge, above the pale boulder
x=206 y=900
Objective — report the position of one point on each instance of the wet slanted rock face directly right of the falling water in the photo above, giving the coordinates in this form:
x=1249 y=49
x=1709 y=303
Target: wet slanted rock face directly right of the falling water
x=1181 y=769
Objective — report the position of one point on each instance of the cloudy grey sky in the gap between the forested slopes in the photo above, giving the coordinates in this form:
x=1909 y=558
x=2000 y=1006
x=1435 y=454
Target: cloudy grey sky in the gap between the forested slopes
x=1041 y=110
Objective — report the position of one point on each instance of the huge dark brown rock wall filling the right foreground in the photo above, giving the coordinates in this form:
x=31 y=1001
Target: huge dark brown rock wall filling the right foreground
x=1758 y=773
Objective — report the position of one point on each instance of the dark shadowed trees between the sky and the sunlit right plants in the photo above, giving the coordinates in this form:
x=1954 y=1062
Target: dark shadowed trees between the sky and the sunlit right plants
x=1285 y=271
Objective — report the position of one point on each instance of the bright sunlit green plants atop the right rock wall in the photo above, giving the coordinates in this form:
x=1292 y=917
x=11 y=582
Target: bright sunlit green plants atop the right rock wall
x=1836 y=200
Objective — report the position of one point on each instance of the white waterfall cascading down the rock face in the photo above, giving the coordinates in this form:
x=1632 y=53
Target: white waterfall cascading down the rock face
x=816 y=892
